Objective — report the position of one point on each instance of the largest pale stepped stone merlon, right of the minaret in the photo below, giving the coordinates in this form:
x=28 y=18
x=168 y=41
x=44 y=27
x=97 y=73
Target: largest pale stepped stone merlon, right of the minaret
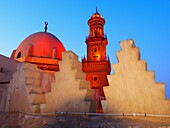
x=132 y=88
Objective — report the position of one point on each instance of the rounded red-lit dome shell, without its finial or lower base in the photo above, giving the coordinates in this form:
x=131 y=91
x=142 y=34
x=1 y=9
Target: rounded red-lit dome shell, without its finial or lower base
x=40 y=44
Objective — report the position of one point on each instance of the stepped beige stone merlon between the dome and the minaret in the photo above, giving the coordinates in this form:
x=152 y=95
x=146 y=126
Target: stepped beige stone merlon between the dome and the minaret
x=70 y=91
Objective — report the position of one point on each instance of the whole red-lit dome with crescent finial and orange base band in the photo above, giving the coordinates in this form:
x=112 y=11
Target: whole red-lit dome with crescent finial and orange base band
x=42 y=49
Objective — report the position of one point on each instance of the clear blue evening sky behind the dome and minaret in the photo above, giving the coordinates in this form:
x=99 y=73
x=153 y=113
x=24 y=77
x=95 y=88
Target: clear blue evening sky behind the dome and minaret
x=147 y=22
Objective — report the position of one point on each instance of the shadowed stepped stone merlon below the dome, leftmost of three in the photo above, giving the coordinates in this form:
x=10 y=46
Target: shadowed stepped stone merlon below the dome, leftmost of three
x=25 y=91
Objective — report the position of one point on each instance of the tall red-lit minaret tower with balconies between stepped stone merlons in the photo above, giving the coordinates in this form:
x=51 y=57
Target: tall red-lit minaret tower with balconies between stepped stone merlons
x=96 y=65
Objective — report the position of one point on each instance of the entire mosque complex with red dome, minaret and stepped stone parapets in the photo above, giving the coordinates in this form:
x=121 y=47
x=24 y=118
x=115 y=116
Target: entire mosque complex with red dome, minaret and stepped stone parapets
x=41 y=76
